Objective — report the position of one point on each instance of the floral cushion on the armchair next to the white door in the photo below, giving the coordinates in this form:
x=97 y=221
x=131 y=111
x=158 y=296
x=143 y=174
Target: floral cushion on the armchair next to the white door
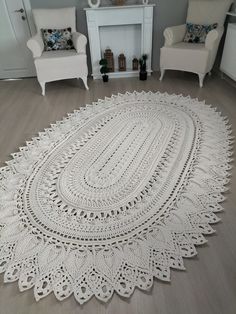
x=57 y=39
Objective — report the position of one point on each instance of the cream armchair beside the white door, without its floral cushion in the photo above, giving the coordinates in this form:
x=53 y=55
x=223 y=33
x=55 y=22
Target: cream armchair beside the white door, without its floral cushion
x=63 y=64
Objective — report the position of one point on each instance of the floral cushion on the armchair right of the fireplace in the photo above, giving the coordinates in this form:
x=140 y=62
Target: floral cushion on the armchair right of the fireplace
x=197 y=33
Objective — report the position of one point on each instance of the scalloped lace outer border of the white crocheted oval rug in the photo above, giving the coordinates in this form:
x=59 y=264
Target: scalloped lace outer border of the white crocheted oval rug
x=86 y=271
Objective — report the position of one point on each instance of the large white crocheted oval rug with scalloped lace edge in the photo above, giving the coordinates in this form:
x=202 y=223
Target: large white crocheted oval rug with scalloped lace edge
x=112 y=196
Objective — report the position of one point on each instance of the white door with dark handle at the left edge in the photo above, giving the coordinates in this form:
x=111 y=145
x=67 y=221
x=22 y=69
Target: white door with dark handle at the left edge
x=16 y=27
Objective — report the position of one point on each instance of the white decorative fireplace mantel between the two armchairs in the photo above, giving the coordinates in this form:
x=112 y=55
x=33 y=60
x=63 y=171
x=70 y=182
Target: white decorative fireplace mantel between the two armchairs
x=140 y=16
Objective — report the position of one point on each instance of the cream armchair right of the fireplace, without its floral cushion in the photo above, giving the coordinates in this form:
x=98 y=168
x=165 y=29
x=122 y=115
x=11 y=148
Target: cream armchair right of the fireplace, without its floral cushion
x=191 y=57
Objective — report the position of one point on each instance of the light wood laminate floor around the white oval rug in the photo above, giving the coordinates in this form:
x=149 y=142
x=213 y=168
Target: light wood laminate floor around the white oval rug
x=208 y=286
